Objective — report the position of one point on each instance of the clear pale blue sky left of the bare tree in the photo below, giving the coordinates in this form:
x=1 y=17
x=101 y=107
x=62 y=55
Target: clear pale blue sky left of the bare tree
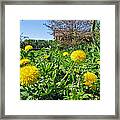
x=35 y=29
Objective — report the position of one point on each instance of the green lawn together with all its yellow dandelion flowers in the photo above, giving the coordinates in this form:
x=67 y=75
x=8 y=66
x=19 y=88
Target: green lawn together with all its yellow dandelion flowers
x=56 y=72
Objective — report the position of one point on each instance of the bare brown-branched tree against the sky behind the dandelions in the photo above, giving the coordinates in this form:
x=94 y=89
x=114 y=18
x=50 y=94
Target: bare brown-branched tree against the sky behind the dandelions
x=70 y=30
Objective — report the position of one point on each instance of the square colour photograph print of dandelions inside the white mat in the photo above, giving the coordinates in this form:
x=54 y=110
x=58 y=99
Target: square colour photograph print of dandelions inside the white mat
x=59 y=60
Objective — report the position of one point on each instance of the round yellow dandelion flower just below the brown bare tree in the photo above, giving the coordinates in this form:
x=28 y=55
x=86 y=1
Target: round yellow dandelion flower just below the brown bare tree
x=78 y=55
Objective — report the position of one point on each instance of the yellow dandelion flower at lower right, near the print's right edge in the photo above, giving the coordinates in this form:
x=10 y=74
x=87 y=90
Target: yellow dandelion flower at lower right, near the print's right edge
x=89 y=78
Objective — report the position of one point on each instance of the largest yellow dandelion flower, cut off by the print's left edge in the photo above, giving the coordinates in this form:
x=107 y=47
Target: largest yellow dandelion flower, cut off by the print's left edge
x=28 y=75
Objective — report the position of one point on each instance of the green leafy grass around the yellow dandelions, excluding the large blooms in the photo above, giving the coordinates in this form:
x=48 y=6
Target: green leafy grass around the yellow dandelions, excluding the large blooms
x=61 y=78
